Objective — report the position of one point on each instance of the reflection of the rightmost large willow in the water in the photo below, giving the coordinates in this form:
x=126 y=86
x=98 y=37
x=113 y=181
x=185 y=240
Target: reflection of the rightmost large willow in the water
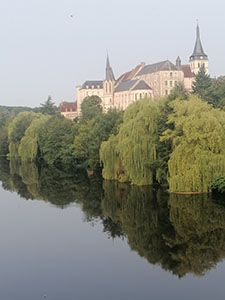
x=199 y=239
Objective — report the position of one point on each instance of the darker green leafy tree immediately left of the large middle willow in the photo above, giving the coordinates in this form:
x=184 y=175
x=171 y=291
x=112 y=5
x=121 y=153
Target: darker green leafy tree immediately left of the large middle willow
x=90 y=136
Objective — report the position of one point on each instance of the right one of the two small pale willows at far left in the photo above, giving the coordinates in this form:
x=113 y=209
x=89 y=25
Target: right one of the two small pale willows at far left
x=28 y=147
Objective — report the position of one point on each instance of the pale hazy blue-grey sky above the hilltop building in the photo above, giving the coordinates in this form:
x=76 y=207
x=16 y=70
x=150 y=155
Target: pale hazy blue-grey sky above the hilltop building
x=44 y=51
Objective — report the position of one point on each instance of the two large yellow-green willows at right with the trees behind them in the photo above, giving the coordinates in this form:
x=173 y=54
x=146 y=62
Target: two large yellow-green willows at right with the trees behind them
x=178 y=141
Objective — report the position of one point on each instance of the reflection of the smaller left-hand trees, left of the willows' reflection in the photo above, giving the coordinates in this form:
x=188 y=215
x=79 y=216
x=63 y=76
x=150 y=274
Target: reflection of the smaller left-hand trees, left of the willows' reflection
x=60 y=187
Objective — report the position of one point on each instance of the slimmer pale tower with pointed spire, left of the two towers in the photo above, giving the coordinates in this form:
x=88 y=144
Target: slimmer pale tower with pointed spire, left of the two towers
x=108 y=87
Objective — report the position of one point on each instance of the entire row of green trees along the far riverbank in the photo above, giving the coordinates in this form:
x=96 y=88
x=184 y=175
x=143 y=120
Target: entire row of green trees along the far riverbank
x=177 y=141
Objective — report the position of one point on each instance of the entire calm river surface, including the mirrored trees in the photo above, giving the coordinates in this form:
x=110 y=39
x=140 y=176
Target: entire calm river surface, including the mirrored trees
x=67 y=237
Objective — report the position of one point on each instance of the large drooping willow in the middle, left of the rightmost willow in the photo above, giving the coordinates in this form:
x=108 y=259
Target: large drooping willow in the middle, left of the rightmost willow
x=133 y=155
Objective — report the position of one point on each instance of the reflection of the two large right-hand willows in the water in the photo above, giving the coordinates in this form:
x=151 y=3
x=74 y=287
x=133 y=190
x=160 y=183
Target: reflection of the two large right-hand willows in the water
x=186 y=237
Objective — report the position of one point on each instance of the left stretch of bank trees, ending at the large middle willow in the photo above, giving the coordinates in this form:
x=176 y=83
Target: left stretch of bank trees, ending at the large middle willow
x=44 y=135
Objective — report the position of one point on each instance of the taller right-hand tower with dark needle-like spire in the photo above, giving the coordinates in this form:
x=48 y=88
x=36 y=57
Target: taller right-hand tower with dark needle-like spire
x=198 y=58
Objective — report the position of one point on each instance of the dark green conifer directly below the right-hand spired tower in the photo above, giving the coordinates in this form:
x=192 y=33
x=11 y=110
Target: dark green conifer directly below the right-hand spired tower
x=202 y=83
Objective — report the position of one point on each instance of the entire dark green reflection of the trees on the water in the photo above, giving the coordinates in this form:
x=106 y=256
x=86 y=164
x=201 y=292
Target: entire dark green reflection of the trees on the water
x=182 y=233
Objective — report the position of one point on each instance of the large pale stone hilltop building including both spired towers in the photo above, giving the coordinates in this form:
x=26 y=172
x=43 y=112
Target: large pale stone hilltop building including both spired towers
x=152 y=81
